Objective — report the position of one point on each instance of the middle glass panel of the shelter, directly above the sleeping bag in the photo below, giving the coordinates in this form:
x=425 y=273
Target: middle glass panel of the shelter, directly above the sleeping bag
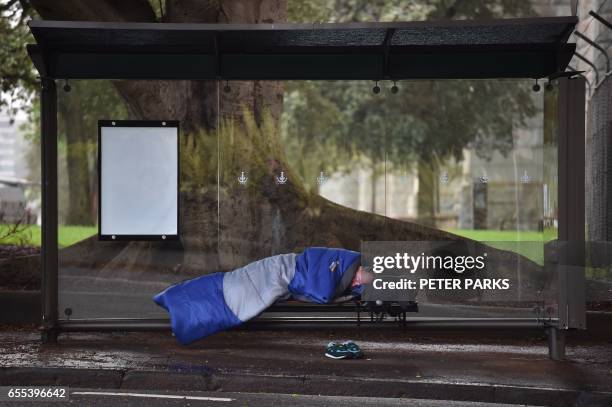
x=281 y=164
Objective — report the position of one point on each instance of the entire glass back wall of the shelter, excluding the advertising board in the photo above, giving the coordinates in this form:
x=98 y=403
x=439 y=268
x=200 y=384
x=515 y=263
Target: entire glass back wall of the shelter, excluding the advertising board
x=333 y=164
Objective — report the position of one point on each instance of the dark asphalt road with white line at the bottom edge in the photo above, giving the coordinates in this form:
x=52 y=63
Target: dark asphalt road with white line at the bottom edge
x=93 y=397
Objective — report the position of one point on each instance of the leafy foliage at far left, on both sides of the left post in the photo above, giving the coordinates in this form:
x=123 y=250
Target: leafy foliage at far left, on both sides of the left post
x=79 y=110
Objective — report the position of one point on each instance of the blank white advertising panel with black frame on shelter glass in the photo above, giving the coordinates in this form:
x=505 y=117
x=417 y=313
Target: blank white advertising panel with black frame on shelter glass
x=138 y=180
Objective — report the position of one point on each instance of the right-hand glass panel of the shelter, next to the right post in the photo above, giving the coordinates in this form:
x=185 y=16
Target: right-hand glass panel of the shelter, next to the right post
x=478 y=172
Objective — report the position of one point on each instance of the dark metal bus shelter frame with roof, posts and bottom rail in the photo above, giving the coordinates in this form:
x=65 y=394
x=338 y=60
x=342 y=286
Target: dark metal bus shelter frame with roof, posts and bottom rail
x=514 y=48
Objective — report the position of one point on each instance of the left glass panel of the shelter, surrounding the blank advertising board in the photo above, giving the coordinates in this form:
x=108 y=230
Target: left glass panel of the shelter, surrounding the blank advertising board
x=117 y=279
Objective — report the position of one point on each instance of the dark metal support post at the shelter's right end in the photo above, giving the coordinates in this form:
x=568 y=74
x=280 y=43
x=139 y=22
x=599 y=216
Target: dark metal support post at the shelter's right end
x=571 y=240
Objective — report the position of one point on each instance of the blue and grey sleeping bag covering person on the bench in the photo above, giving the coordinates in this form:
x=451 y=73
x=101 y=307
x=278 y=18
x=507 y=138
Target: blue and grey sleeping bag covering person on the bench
x=214 y=302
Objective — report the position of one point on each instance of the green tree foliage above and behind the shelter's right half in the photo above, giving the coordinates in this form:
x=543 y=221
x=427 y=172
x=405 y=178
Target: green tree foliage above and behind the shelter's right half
x=327 y=123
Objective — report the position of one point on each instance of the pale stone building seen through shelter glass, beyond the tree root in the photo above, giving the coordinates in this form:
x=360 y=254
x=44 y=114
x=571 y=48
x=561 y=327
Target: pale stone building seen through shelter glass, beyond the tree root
x=502 y=192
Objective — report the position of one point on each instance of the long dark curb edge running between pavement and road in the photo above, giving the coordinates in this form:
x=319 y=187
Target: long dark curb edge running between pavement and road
x=252 y=382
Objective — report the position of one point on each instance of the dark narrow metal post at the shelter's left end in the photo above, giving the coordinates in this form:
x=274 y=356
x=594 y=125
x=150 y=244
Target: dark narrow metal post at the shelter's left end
x=49 y=250
